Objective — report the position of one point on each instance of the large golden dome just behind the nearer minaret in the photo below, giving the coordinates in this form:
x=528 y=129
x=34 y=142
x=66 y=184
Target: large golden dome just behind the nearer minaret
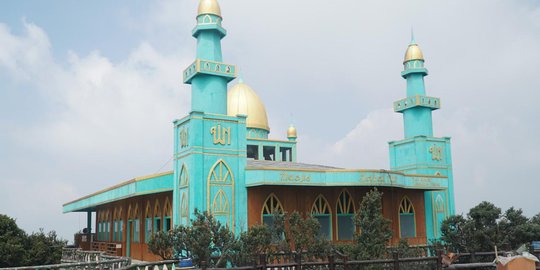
x=241 y=99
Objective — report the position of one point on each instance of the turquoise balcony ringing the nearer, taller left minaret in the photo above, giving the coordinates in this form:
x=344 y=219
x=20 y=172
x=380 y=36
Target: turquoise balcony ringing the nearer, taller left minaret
x=201 y=66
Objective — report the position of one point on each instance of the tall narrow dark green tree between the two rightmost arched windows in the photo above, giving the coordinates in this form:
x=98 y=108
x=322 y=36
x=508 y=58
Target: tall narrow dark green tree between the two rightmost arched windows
x=375 y=231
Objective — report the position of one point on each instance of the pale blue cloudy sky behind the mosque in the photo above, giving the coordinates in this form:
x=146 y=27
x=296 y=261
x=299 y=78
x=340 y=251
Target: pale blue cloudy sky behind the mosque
x=89 y=90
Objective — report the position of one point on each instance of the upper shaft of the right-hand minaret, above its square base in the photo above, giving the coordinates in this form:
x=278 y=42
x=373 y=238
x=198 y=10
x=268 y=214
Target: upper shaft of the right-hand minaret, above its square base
x=417 y=107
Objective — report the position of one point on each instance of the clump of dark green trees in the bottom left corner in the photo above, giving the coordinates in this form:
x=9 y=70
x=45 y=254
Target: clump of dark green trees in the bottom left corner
x=19 y=249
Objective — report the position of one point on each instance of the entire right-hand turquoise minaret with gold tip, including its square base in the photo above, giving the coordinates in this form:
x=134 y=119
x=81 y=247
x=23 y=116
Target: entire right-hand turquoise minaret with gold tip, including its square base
x=420 y=152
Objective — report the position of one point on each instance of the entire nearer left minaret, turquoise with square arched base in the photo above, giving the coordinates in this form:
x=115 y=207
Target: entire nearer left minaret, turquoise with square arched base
x=210 y=146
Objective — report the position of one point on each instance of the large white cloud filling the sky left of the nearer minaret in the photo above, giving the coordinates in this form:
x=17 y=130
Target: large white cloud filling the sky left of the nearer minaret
x=102 y=122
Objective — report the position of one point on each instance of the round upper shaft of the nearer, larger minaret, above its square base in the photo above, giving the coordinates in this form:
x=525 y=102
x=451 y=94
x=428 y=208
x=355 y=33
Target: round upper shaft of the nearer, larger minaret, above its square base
x=208 y=76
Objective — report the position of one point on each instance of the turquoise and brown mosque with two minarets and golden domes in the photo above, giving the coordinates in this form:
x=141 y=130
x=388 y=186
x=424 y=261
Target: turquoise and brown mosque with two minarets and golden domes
x=225 y=163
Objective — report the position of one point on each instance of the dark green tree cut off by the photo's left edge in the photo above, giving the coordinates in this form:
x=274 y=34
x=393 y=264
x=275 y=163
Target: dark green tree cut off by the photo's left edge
x=12 y=243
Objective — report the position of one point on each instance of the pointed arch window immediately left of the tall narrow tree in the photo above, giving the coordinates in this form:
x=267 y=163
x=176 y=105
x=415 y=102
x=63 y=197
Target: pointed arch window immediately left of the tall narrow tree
x=345 y=216
